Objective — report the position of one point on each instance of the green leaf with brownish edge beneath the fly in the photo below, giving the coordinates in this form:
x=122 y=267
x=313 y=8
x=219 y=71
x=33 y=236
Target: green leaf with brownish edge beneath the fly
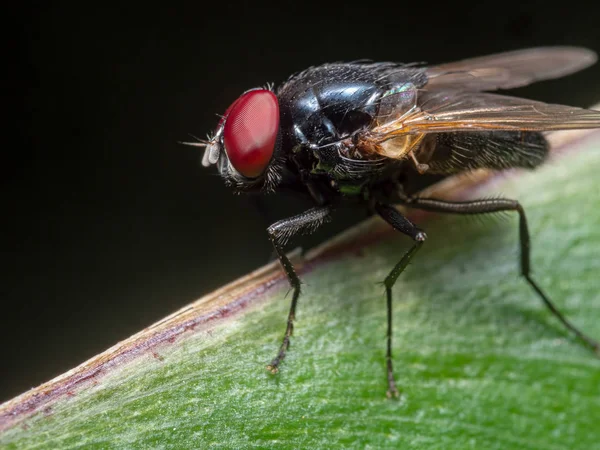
x=480 y=361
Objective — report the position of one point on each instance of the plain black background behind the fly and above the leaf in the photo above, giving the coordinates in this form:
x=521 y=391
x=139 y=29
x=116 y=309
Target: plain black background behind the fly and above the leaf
x=109 y=225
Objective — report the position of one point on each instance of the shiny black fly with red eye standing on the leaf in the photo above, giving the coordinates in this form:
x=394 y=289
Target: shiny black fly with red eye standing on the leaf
x=376 y=134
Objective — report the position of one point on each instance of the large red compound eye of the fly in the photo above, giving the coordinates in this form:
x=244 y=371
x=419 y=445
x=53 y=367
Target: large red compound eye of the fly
x=251 y=130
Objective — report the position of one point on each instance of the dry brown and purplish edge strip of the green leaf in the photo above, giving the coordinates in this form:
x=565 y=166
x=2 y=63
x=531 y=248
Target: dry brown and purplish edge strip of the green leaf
x=237 y=296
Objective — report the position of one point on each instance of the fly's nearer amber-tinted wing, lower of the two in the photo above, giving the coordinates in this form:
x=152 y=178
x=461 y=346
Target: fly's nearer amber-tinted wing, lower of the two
x=454 y=111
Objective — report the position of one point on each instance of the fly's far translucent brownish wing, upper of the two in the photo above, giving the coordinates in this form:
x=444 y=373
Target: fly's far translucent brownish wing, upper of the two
x=510 y=69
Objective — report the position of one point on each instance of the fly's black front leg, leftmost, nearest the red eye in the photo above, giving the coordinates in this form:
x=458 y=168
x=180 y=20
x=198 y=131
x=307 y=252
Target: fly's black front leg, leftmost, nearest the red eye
x=279 y=234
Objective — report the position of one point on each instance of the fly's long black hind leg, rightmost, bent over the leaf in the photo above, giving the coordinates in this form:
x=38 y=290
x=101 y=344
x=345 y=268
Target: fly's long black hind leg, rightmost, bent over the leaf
x=497 y=205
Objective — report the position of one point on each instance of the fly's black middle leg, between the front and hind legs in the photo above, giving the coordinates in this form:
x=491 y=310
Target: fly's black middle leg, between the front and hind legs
x=402 y=224
